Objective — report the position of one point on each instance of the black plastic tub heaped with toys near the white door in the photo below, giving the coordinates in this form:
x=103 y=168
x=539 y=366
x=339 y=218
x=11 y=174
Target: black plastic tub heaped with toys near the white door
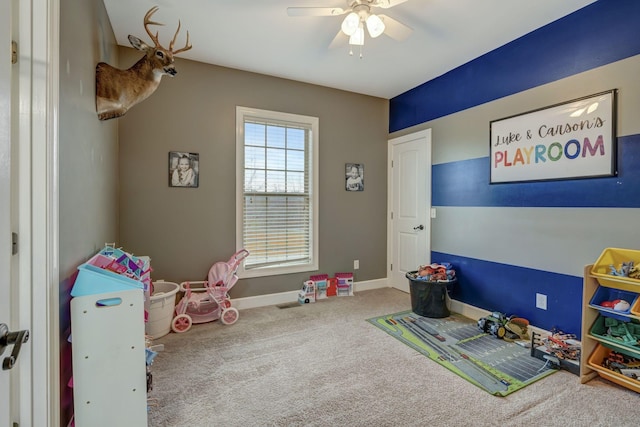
x=429 y=299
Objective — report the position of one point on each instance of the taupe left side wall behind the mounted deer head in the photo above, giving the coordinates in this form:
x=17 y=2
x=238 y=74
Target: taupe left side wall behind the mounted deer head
x=88 y=159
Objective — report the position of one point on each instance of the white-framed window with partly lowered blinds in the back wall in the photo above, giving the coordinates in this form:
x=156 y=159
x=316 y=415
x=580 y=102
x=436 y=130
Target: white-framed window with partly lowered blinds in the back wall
x=277 y=191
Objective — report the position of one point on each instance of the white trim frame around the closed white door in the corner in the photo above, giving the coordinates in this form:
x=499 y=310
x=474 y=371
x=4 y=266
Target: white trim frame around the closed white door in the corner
x=426 y=133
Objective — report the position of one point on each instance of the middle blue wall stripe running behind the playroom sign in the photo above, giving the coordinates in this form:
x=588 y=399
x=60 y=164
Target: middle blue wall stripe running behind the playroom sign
x=466 y=183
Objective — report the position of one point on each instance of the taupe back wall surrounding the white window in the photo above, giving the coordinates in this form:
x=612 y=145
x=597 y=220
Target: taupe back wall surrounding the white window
x=186 y=230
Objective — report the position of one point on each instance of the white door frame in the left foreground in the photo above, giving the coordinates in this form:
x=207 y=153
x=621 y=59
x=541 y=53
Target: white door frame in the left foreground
x=38 y=282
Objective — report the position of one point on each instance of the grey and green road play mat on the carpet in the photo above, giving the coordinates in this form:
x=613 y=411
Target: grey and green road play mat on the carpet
x=497 y=366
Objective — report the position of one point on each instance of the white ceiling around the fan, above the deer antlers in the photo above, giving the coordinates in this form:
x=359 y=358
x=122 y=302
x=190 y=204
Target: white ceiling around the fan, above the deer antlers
x=259 y=36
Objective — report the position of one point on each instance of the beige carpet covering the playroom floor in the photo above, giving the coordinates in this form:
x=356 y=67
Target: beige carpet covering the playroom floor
x=323 y=364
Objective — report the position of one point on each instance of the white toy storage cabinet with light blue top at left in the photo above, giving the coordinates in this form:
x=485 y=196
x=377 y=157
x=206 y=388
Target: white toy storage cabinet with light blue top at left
x=108 y=342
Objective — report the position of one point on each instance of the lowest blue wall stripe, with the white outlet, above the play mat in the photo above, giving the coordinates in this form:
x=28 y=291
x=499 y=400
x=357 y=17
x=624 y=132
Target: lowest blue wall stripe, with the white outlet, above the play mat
x=505 y=288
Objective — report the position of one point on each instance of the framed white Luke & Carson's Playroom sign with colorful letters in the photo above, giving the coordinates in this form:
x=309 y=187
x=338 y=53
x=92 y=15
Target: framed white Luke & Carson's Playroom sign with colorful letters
x=575 y=139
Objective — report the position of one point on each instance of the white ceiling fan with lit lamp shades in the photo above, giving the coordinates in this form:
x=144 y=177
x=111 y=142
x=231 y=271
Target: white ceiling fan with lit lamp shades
x=359 y=16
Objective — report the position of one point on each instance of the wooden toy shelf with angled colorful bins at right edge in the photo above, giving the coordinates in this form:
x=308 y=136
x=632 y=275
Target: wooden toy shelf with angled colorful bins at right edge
x=596 y=347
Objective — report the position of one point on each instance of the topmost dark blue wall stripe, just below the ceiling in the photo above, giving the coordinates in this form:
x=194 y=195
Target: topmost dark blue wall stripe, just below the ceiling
x=601 y=33
